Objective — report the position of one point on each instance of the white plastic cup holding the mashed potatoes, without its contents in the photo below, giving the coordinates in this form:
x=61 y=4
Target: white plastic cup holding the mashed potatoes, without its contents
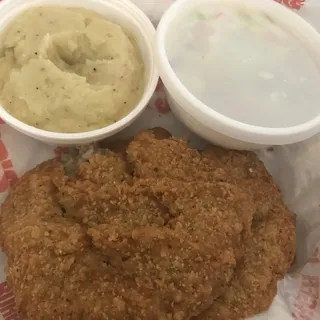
x=125 y=14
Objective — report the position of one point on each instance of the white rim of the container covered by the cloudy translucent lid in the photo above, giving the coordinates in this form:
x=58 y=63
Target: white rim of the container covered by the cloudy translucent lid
x=222 y=123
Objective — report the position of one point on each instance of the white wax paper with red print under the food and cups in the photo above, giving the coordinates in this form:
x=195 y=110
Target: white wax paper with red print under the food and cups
x=294 y=167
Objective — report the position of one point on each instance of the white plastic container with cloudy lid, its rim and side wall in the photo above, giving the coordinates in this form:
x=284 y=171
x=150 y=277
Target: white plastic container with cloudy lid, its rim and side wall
x=206 y=122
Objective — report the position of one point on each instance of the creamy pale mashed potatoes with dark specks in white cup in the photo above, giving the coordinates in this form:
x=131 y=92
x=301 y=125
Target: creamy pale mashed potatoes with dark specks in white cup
x=68 y=70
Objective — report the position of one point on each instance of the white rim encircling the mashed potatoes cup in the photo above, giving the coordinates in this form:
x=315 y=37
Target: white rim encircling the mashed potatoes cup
x=152 y=78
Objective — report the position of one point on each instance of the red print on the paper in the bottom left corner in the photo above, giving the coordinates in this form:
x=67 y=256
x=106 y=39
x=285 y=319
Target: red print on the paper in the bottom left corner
x=7 y=303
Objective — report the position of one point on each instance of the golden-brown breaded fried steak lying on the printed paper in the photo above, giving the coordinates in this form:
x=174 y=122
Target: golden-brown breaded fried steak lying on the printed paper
x=150 y=230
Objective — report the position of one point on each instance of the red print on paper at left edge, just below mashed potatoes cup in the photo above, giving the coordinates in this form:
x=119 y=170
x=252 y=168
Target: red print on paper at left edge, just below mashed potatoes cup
x=9 y=176
